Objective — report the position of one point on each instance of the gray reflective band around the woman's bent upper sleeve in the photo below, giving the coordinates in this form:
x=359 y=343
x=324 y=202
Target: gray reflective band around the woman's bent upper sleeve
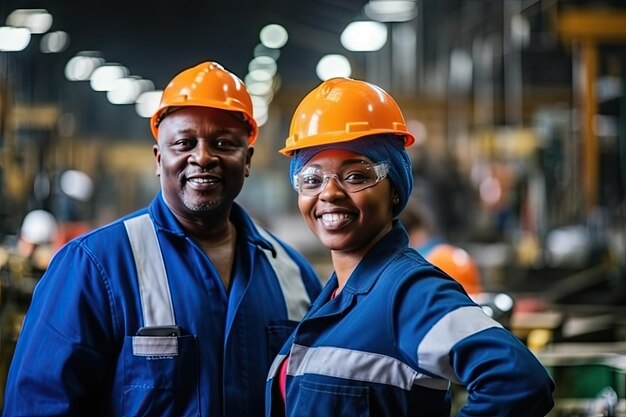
x=434 y=350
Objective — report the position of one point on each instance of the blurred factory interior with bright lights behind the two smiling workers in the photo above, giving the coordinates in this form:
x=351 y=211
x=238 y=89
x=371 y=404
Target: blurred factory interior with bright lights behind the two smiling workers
x=518 y=108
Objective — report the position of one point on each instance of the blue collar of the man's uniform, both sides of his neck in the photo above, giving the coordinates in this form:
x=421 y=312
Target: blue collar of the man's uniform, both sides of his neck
x=165 y=220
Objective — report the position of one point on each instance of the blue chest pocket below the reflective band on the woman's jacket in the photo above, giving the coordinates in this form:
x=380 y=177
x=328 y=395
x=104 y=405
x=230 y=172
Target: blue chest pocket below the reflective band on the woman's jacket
x=316 y=399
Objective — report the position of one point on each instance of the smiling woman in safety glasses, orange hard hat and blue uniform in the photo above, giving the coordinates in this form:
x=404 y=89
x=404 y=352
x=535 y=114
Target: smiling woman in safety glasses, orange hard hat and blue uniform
x=390 y=331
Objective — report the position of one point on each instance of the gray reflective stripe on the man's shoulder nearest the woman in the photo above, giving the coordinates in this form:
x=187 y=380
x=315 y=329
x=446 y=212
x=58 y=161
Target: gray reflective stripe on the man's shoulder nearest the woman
x=289 y=278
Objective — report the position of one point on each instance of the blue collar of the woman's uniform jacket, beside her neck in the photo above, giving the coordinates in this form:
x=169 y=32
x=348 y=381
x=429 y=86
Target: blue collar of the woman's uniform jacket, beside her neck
x=377 y=259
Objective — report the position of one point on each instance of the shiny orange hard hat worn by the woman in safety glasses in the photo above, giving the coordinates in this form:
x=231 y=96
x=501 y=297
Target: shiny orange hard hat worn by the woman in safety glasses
x=343 y=109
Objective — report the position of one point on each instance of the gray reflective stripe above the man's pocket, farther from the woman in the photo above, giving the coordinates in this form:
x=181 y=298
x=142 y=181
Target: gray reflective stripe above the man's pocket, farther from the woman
x=154 y=290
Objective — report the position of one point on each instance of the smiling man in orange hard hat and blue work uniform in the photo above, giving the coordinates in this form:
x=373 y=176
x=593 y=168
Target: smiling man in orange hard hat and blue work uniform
x=179 y=308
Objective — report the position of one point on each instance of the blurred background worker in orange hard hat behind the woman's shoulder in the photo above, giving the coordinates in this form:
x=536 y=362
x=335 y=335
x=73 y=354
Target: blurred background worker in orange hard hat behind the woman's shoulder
x=425 y=237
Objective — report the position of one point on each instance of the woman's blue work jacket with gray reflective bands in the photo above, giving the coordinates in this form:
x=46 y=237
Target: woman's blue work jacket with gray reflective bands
x=393 y=339
